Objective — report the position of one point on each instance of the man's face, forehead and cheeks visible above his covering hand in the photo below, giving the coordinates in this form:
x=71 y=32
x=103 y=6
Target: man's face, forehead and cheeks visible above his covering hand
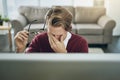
x=57 y=32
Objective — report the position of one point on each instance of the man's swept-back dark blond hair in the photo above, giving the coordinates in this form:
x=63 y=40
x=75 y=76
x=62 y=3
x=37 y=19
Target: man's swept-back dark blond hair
x=58 y=16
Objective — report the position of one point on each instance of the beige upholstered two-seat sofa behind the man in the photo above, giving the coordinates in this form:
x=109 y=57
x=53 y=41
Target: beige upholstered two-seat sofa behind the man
x=90 y=22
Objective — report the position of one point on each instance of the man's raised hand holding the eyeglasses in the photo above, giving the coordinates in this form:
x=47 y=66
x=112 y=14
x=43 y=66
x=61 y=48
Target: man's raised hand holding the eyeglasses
x=21 y=39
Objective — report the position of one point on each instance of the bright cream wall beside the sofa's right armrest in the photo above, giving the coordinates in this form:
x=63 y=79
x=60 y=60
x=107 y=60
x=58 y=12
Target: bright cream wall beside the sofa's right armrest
x=114 y=12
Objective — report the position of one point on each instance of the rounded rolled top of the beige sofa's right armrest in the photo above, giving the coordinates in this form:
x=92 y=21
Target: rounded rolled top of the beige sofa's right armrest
x=107 y=23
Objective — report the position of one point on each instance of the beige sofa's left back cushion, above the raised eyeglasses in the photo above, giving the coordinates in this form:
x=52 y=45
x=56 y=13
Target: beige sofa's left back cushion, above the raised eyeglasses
x=33 y=13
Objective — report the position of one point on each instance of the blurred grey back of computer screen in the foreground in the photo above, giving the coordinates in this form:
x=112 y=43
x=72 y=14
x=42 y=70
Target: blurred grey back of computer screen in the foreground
x=59 y=67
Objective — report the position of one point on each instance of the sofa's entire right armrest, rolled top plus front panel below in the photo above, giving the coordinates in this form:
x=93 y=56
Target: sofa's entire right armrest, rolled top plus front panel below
x=107 y=24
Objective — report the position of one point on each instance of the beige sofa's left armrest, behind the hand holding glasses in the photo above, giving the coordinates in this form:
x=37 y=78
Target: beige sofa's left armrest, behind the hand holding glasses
x=18 y=23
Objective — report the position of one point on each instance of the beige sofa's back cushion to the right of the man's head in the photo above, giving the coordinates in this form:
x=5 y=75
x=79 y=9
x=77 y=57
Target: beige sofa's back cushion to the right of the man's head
x=88 y=14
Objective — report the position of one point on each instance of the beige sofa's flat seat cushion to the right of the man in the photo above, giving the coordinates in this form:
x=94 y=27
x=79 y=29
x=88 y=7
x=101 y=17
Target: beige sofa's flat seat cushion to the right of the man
x=89 y=29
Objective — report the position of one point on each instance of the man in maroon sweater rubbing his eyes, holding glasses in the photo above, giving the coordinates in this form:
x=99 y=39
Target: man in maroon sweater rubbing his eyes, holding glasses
x=58 y=37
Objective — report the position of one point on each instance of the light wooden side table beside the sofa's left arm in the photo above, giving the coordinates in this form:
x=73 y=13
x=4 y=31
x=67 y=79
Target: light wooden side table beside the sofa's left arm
x=9 y=34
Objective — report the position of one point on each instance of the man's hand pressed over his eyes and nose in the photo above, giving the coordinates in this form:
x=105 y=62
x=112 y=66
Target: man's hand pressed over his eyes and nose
x=56 y=45
